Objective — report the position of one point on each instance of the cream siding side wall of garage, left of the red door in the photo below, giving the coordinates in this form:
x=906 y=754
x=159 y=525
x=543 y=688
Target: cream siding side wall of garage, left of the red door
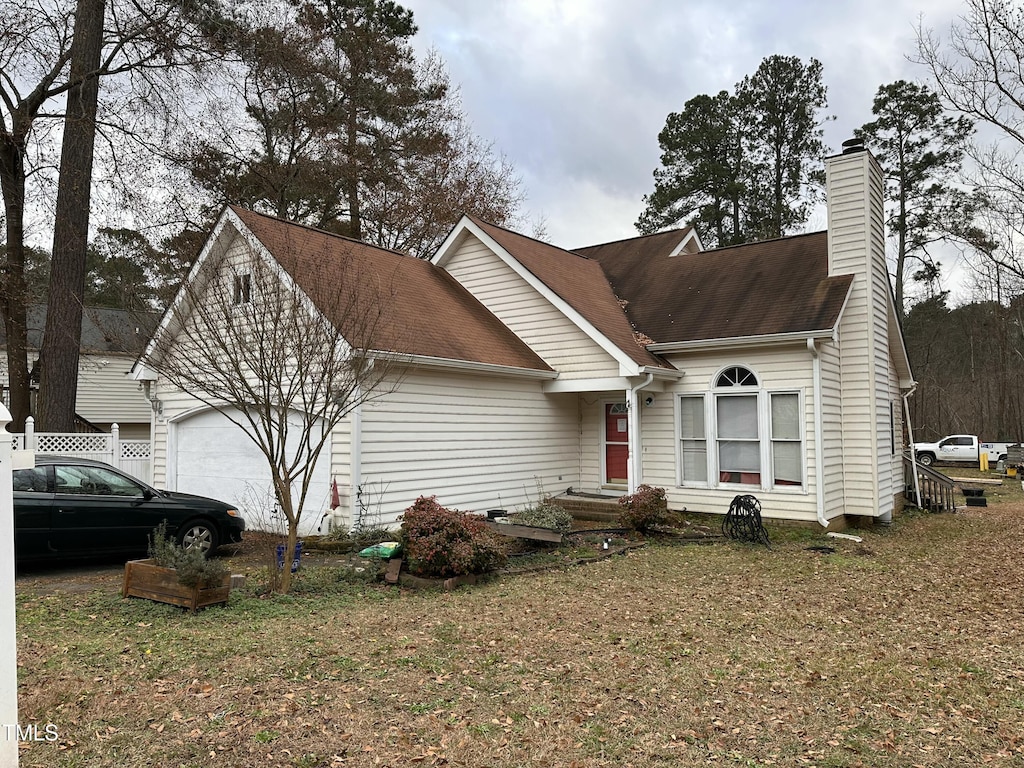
x=478 y=443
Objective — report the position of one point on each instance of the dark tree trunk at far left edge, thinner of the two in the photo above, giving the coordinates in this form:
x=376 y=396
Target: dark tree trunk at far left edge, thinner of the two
x=13 y=308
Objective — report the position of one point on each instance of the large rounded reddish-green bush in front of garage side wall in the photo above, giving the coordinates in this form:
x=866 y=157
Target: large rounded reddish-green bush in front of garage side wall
x=441 y=543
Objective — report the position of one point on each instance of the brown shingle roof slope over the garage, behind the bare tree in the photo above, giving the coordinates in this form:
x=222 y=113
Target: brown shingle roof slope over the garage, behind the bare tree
x=429 y=313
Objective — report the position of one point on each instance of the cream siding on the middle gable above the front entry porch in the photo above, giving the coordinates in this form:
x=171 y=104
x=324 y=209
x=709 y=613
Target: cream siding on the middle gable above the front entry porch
x=528 y=314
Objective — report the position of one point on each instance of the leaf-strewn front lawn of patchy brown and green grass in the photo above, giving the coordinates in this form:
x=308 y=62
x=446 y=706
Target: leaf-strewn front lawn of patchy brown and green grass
x=907 y=650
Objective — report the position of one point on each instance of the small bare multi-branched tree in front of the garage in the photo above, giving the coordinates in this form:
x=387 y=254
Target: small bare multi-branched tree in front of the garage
x=286 y=355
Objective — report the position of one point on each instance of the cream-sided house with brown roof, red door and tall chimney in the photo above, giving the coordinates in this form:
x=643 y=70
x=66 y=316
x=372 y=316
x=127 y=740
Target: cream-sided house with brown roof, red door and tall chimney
x=776 y=369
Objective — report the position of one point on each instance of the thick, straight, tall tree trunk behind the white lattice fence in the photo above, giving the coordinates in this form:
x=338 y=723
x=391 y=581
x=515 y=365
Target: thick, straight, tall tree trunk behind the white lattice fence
x=63 y=336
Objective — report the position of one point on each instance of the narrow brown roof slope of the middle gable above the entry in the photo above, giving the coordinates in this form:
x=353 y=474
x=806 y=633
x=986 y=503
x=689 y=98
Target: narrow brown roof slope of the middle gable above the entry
x=578 y=281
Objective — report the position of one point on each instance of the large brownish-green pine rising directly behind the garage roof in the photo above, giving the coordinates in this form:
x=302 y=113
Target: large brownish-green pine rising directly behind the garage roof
x=344 y=131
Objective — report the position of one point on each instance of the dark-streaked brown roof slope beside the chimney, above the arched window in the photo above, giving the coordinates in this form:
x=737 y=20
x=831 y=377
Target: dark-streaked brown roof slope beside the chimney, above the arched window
x=775 y=287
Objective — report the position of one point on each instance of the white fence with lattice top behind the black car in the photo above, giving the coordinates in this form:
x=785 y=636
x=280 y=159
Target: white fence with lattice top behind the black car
x=133 y=457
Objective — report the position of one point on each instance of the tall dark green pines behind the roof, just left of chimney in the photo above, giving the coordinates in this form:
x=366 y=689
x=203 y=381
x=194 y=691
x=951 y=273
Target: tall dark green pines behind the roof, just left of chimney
x=744 y=166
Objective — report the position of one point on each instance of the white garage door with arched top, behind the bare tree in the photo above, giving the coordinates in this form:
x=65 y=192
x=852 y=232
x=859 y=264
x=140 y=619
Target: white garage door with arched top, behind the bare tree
x=214 y=457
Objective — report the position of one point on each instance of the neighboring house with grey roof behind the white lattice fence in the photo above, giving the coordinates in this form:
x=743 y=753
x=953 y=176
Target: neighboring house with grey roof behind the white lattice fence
x=112 y=340
